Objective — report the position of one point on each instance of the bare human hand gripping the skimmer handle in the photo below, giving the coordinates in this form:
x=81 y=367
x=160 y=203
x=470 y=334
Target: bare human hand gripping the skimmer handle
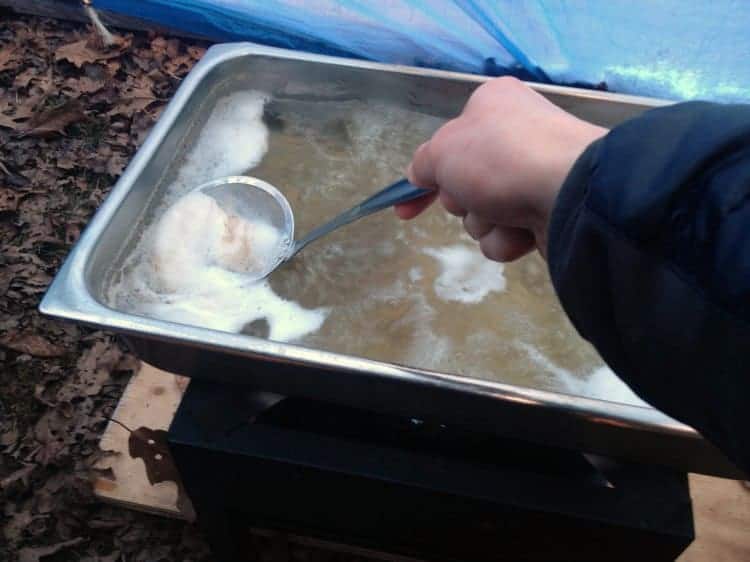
x=500 y=165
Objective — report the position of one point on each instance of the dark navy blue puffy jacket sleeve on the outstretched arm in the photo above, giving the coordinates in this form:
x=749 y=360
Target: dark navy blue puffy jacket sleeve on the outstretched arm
x=649 y=252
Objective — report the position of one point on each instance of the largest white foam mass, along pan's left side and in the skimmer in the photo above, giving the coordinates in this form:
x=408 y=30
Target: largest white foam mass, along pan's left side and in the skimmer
x=194 y=265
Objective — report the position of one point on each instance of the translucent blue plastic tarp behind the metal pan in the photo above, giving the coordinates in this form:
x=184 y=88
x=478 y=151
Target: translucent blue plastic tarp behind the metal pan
x=674 y=49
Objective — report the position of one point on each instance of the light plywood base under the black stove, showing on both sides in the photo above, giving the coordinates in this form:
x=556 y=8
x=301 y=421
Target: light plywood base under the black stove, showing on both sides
x=721 y=507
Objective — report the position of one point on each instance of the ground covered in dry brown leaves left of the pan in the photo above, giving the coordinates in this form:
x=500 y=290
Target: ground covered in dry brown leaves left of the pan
x=72 y=113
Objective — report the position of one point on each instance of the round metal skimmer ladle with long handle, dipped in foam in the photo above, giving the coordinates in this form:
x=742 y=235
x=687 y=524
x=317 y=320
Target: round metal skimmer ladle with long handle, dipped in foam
x=257 y=200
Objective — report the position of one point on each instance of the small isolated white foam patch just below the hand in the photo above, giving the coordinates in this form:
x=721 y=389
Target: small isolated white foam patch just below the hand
x=466 y=275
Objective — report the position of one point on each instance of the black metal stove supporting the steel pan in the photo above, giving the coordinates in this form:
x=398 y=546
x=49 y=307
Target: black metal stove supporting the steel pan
x=407 y=487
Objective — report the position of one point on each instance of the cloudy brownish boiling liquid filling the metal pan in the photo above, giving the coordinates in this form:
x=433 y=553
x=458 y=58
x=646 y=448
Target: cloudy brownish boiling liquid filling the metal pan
x=417 y=293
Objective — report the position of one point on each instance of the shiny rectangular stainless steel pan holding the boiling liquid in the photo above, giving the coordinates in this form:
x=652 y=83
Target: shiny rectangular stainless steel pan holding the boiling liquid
x=596 y=426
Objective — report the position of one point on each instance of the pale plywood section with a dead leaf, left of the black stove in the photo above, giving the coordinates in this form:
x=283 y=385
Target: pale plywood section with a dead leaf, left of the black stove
x=150 y=400
